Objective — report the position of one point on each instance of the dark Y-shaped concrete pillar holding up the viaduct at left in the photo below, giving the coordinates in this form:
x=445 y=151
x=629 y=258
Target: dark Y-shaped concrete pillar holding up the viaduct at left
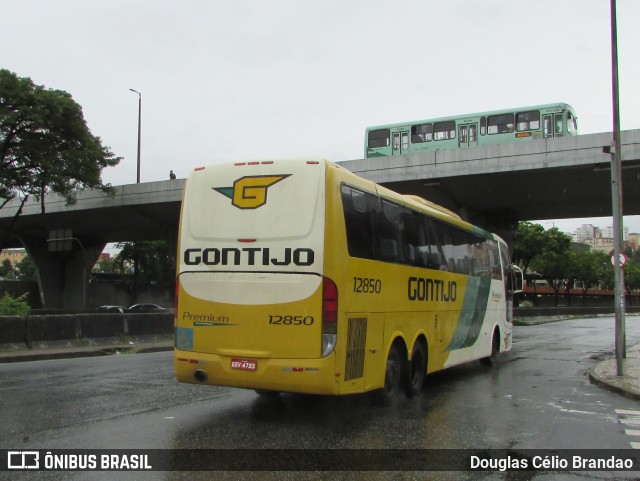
x=63 y=277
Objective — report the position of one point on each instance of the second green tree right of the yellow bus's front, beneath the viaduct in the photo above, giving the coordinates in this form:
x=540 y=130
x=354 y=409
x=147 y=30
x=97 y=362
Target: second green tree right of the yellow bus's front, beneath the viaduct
x=555 y=262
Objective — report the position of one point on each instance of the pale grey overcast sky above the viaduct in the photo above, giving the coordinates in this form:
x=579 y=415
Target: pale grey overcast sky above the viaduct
x=246 y=79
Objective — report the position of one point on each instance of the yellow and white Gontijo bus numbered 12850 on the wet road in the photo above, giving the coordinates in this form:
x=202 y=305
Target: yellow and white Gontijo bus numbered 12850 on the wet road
x=299 y=276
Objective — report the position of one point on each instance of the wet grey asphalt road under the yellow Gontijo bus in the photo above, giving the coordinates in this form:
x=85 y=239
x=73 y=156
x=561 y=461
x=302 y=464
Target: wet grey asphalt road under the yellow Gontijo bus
x=537 y=396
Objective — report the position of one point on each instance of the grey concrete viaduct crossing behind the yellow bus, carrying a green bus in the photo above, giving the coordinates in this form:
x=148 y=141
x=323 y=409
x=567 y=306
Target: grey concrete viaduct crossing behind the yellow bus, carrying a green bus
x=493 y=187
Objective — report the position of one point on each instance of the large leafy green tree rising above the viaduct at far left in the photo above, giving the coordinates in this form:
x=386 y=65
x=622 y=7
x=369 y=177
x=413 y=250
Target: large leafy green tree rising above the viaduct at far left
x=45 y=144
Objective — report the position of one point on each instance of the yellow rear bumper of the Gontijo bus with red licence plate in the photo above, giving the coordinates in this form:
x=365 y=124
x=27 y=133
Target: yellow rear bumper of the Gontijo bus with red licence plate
x=309 y=376
